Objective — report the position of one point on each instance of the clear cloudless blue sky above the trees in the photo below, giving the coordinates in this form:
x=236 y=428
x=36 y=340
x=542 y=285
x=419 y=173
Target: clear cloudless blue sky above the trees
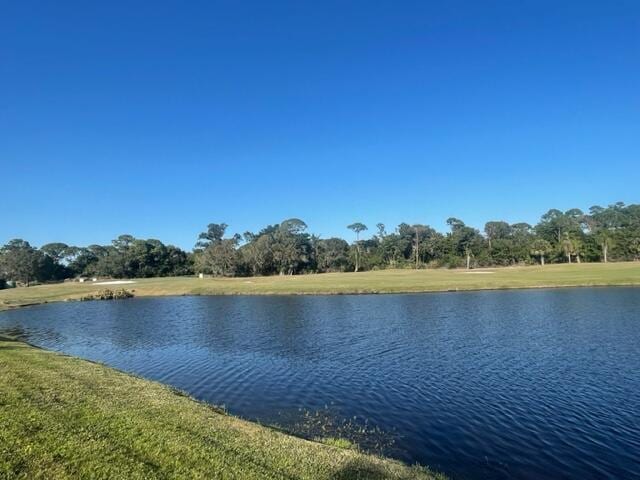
x=156 y=118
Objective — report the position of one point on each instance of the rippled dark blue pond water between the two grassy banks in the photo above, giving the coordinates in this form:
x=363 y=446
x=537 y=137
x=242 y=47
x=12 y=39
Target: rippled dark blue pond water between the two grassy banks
x=519 y=384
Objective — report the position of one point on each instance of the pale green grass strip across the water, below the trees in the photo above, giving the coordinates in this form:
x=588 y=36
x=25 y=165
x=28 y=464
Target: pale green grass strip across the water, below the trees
x=384 y=281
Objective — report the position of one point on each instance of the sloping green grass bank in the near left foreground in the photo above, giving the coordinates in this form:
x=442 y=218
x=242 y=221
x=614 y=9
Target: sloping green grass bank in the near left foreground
x=62 y=417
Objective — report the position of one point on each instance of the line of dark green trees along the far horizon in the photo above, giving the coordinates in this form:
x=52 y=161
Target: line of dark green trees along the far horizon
x=603 y=234
